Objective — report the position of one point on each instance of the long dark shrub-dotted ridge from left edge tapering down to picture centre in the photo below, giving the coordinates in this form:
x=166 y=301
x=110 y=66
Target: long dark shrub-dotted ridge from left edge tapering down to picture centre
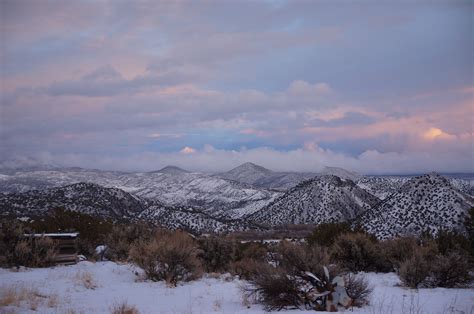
x=92 y=199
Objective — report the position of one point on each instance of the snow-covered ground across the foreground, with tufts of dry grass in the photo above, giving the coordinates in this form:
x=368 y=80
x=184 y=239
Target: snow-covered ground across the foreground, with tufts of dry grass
x=97 y=287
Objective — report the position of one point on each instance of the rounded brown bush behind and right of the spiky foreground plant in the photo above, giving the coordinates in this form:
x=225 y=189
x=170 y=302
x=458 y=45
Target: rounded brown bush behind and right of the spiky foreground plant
x=356 y=252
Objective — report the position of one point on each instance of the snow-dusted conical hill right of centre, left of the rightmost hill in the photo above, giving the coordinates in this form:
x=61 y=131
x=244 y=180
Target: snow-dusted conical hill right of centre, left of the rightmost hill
x=319 y=200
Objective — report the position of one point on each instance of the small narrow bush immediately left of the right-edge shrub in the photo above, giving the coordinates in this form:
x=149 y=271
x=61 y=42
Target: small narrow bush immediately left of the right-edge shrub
x=414 y=271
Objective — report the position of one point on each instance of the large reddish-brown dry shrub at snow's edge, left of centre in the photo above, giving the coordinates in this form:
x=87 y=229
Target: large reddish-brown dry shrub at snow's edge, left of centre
x=169 y=256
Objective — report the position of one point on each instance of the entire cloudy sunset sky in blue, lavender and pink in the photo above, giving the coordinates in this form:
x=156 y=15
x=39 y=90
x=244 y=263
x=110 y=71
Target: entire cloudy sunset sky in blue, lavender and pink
x=377 y=87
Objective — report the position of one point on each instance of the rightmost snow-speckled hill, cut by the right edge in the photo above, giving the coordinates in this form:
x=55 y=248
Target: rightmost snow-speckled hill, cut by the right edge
x=428 y=202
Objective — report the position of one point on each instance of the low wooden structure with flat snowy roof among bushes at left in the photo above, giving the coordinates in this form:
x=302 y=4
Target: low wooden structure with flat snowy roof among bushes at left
x=66 y=246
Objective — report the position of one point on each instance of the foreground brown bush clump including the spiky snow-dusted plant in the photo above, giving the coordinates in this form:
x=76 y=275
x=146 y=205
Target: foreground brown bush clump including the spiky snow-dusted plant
x=297 y=278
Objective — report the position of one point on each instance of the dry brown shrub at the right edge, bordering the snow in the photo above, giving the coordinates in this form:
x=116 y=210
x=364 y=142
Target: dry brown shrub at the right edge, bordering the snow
x=450 y=270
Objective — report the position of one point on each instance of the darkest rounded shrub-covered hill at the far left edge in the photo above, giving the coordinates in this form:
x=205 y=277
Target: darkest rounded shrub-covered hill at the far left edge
x=86 y=198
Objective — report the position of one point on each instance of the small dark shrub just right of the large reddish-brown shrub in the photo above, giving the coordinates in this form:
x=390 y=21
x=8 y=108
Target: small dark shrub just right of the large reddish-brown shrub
x=216 y=253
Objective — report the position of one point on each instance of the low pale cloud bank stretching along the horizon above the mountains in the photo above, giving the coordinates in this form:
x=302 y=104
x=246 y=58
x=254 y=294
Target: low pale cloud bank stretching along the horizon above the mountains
x=312 y=158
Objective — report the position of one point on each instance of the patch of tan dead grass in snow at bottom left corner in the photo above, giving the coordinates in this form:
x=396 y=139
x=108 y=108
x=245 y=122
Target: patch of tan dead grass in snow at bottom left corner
x=22 y=296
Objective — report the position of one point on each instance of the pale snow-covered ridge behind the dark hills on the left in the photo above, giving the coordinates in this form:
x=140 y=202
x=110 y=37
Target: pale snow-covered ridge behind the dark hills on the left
x=214 y=195
